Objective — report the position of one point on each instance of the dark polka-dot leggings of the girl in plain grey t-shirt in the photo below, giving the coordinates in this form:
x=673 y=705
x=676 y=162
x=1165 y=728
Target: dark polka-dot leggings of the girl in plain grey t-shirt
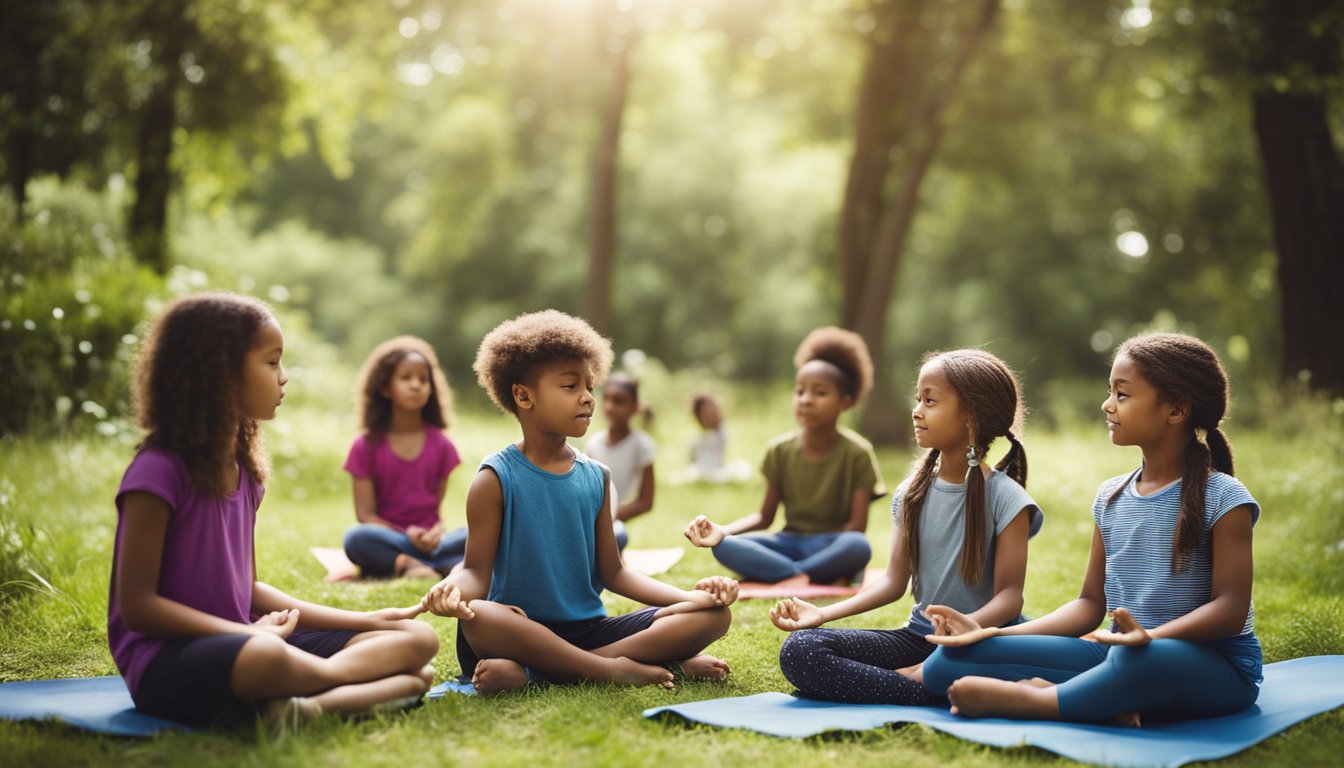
x=857 y=666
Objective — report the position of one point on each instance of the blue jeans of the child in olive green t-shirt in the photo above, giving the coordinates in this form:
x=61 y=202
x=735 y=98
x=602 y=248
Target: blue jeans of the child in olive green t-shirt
x=775 y=558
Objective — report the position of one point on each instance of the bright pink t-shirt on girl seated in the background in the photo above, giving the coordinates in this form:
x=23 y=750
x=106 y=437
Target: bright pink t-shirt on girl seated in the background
x=407 y=492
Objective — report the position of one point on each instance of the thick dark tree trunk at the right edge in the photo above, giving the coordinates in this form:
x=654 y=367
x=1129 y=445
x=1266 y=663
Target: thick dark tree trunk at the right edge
x=1306 y=182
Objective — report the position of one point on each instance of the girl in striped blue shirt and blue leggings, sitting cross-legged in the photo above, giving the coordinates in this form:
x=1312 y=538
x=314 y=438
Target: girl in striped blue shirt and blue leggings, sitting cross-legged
x=1171 y=564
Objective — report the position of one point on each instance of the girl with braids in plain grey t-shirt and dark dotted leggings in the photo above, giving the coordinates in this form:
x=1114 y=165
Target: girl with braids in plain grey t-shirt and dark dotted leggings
x=960 y=535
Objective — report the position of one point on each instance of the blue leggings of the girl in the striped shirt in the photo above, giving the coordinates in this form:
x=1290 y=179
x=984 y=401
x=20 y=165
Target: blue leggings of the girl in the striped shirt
x=1096 y=683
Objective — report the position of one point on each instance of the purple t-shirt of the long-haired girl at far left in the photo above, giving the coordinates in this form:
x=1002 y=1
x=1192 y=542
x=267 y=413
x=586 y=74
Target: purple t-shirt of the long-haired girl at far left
x=208 y=556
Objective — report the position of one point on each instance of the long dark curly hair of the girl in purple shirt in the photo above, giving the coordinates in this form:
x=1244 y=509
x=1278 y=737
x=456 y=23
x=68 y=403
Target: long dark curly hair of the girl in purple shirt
x=189 y=385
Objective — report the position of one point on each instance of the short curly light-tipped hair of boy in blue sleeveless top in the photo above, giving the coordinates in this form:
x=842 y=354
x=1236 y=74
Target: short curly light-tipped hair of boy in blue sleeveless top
x=517 y=349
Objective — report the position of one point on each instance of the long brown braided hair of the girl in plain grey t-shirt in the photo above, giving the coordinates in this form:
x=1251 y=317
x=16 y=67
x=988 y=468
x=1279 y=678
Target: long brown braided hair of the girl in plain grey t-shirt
x=991 y=397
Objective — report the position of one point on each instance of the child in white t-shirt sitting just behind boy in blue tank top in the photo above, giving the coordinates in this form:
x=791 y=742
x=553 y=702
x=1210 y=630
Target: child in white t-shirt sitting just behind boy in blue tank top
x=627 y=453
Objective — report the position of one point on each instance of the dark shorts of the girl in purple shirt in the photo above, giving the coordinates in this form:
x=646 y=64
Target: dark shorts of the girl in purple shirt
x=189 y=680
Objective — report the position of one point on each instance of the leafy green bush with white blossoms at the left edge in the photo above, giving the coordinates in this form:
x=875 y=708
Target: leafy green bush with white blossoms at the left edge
x=72 y=303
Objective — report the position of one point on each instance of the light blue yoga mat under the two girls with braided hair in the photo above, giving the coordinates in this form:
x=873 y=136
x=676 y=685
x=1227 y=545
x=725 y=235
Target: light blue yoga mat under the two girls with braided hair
x=1292 y=692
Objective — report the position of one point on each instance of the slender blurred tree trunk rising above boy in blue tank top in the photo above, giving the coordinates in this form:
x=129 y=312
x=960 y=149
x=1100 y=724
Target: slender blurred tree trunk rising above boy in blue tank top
x=597 y=301
